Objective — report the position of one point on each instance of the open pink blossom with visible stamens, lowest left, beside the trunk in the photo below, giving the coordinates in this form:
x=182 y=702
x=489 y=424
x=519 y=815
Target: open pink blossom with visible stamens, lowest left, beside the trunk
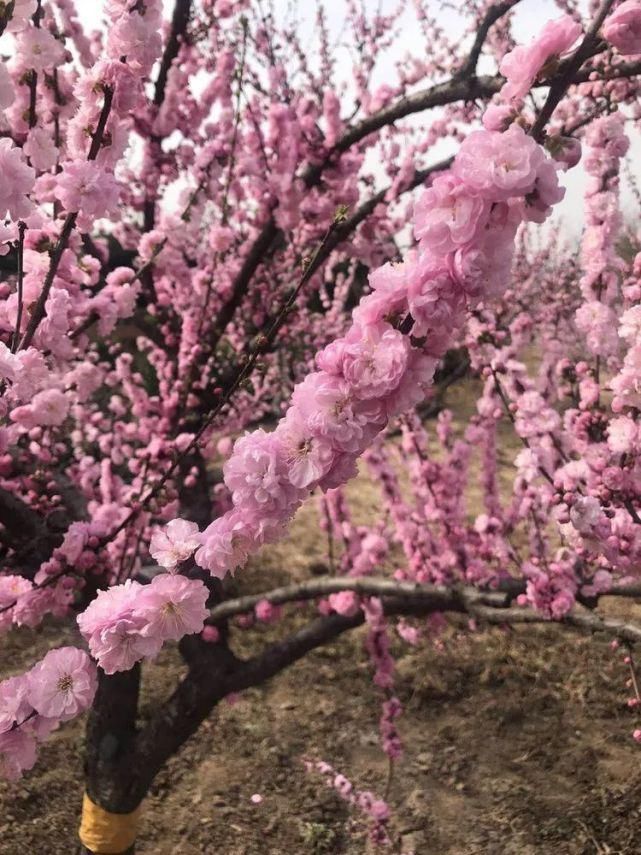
x=63 y=684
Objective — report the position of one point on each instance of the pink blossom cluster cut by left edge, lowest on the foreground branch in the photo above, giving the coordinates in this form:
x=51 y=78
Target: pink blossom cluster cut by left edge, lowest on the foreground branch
x=60 y=687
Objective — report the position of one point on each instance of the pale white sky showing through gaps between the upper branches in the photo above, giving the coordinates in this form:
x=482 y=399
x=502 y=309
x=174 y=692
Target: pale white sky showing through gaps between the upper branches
x=529 y=17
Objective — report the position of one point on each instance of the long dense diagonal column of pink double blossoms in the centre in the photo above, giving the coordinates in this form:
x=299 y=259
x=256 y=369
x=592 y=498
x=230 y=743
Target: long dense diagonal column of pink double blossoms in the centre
x=465 y=222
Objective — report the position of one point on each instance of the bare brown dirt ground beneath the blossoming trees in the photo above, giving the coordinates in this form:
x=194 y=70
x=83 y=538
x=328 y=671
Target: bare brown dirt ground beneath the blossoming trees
x=516 y=743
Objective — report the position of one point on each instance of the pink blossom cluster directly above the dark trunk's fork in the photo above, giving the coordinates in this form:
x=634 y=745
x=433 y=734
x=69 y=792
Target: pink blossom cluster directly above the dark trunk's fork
x=128 y=622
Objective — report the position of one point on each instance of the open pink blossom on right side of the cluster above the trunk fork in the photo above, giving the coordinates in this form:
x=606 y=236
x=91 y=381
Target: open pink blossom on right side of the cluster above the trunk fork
x=172 y=606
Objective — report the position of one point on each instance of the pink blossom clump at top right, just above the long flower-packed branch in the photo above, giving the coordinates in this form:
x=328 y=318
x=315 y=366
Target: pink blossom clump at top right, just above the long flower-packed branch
x=522 y=65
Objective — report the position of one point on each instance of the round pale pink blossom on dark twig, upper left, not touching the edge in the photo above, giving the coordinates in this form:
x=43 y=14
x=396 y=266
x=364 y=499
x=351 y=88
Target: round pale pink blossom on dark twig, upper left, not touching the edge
x=85 y=186
